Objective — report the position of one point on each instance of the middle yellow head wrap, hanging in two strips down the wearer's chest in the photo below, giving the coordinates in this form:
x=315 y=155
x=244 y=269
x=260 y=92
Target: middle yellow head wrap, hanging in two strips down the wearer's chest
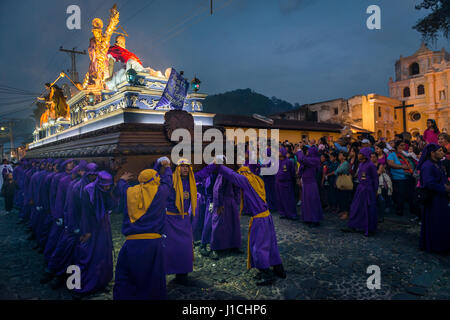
x=178 y=185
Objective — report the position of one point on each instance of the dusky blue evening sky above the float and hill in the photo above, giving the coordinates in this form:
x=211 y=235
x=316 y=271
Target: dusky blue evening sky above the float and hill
x=298 y=50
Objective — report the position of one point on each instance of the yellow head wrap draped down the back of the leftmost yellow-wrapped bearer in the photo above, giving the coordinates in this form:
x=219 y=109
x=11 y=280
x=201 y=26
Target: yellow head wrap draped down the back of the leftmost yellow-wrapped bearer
x=140 y=197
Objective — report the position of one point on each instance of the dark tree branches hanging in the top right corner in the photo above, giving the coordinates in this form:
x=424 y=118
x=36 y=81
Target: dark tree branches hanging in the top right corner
x=436 y=21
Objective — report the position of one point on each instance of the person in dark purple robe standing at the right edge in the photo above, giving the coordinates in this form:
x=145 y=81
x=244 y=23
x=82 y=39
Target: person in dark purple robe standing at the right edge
x=435 y=230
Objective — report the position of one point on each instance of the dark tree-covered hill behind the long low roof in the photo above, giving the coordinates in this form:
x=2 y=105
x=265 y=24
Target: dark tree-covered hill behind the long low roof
x=244 y=102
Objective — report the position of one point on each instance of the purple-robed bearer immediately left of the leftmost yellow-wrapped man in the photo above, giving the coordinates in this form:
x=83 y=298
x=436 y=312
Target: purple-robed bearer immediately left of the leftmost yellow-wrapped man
x=95 y=254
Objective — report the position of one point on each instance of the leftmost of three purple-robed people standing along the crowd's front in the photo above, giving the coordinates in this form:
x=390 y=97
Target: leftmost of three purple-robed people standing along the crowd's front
x=285 y=182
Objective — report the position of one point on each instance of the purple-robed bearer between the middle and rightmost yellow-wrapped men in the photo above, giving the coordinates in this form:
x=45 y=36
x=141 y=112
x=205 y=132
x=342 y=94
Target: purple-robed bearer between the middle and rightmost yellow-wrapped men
x=226 y=228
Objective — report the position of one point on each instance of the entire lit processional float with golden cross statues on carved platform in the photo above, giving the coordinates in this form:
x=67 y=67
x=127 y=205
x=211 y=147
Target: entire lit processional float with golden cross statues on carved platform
x=127 y=114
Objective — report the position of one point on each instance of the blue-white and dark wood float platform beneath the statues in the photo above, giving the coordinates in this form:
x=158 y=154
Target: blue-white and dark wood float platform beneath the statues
x=127 y=125
